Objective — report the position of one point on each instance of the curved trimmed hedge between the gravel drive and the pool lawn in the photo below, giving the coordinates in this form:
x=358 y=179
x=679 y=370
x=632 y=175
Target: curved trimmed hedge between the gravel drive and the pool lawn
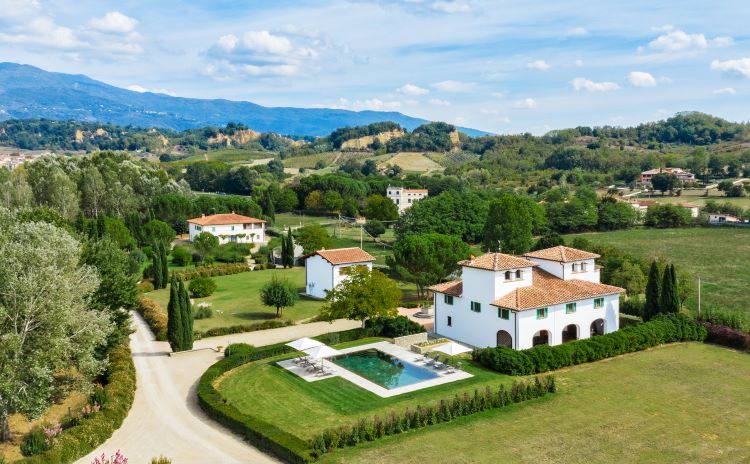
x=257 y=431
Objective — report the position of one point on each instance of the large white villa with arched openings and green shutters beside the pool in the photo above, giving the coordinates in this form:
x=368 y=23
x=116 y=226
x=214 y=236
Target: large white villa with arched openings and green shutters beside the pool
x=548 y=296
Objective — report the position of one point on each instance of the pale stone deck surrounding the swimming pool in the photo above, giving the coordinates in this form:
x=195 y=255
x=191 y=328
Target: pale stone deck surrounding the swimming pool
x=402 y=354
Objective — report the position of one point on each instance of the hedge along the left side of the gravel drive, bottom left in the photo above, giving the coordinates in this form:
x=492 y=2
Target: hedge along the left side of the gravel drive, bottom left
x=91 y=432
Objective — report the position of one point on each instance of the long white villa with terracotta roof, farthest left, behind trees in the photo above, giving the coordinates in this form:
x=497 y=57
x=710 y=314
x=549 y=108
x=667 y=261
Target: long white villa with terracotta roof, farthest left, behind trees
x=231 y=227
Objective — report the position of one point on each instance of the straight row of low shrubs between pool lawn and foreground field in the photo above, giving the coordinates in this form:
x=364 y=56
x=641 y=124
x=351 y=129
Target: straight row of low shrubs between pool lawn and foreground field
x=370 y=429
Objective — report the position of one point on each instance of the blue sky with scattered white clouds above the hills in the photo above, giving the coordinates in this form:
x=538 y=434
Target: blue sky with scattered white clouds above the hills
x=504 y=67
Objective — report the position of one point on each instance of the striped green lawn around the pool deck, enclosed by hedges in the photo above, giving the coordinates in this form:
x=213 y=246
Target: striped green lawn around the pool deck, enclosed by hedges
x=303 y=408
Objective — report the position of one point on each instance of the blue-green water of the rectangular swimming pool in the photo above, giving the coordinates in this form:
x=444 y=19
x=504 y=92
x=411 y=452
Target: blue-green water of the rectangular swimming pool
x=383 y=369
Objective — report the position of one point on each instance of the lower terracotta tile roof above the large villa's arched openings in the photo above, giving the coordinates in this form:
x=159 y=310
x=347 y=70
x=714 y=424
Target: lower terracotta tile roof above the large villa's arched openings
x=548 y=290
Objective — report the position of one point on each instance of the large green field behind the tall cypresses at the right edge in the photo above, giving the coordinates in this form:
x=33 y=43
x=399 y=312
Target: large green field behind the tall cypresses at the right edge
x=718 y=255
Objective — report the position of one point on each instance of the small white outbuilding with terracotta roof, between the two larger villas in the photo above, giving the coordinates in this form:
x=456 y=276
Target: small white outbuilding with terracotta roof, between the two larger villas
x=324 y=269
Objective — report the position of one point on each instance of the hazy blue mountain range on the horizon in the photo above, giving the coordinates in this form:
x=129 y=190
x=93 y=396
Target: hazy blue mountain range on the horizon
x=28 y=92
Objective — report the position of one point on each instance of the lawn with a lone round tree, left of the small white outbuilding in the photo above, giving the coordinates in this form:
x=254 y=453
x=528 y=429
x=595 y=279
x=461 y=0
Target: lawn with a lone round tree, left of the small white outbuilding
x=237 y=299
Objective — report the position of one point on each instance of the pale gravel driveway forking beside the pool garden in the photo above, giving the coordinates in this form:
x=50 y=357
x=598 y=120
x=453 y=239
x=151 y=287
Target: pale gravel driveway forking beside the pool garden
x=165 y=418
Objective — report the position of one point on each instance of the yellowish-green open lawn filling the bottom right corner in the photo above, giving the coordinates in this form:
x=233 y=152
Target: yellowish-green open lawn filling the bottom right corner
x=674 y=404
